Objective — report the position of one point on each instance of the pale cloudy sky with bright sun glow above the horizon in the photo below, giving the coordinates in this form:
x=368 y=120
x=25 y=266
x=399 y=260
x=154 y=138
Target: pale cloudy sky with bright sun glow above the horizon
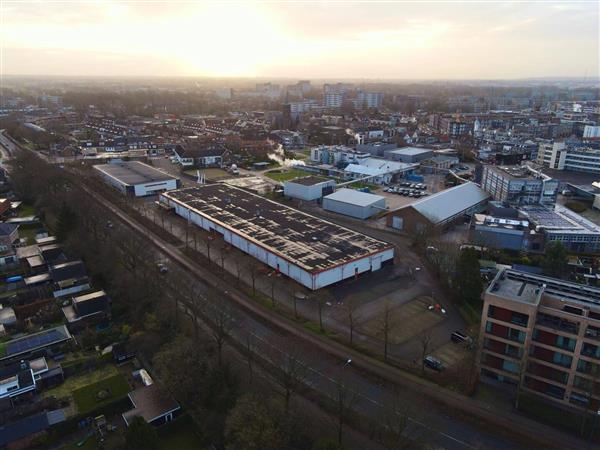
x=301 y=39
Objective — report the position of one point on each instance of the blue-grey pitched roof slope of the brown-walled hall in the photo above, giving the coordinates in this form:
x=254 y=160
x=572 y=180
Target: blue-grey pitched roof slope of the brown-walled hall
x=449 y=203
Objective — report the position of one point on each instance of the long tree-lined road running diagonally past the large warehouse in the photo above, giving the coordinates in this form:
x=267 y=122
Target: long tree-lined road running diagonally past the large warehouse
x=438 y=416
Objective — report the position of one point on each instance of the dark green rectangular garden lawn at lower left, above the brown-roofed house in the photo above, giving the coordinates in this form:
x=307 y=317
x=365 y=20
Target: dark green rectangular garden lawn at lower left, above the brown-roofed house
x=101 y=393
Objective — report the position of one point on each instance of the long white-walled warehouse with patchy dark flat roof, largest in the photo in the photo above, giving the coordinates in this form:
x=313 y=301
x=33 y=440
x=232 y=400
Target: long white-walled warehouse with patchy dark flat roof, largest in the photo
x=314 y=252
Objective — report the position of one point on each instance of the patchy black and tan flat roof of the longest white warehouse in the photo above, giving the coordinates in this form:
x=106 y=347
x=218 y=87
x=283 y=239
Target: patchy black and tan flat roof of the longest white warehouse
x=311 y=243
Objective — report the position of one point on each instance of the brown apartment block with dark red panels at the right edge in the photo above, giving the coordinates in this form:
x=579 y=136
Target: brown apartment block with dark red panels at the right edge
x=542 y=334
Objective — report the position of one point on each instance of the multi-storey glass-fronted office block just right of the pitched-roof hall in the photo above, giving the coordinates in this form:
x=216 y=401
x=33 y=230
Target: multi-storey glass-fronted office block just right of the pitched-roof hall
x=519 y=185
